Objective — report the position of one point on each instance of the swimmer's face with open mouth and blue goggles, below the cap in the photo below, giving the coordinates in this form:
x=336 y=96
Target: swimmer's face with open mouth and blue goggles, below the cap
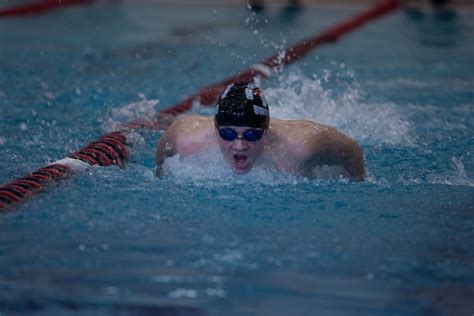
x=240 y=153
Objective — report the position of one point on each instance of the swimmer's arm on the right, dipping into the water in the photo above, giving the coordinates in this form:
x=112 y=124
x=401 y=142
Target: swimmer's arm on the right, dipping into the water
x=335 y=148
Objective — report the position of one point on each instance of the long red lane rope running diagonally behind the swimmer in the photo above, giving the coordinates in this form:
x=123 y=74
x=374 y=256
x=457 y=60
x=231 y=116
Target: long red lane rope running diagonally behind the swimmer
x=111 y=148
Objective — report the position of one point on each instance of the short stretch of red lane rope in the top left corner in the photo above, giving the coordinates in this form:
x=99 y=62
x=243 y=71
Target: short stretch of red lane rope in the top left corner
x=40 y=7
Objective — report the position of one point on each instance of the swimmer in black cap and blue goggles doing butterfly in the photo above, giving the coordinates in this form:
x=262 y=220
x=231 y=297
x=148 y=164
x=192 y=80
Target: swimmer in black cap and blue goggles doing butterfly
x=246 y=137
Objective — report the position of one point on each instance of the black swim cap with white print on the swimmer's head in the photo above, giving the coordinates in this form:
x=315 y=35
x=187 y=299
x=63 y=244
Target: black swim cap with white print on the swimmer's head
x=242 y=104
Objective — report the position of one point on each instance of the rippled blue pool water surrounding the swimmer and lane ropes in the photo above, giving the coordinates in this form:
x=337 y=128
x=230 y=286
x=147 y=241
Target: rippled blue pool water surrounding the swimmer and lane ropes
x=202 y=241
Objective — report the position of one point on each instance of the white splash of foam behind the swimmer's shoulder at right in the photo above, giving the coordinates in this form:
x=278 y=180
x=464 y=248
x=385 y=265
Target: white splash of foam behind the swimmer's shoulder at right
x=341 y=106
